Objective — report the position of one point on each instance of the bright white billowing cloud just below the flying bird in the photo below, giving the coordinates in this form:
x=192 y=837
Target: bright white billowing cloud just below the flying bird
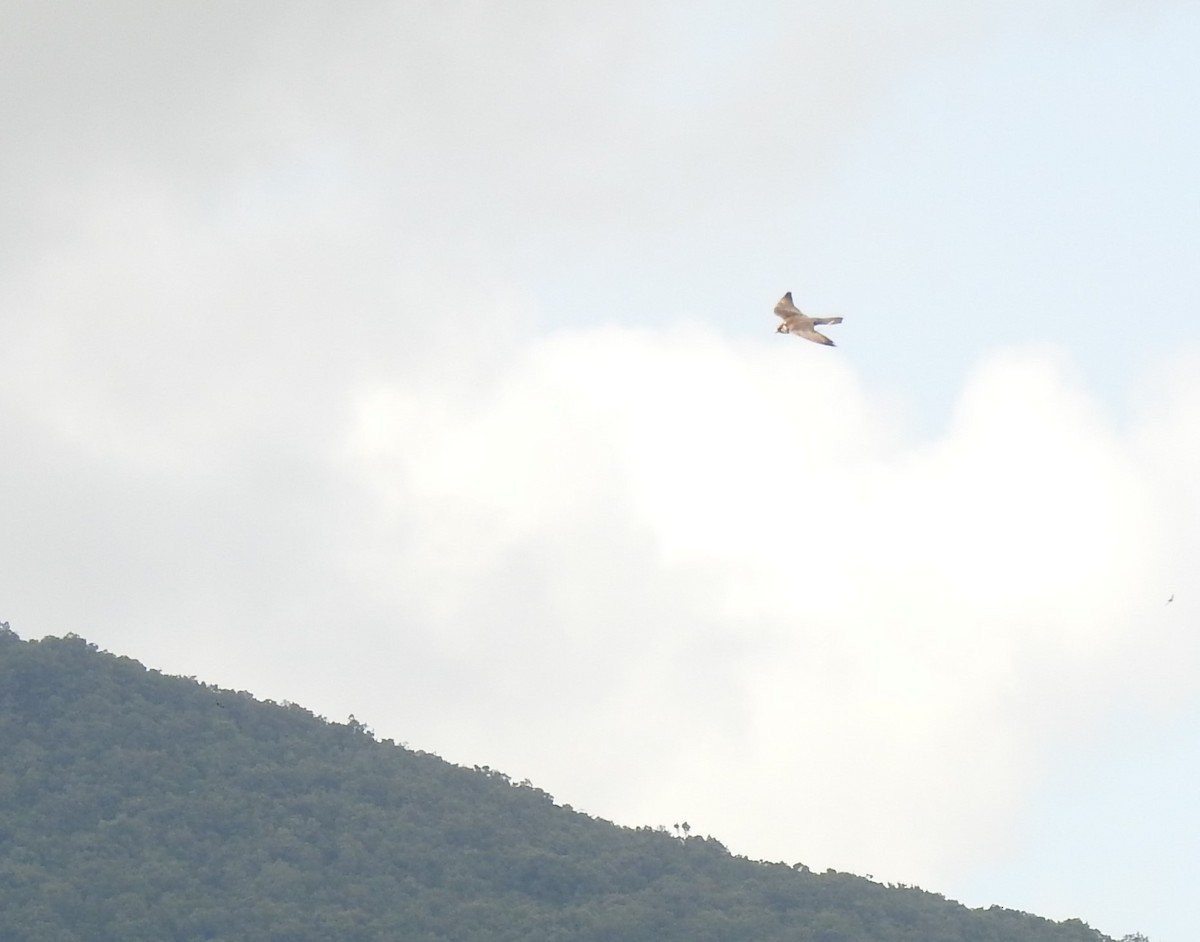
x=815 y=637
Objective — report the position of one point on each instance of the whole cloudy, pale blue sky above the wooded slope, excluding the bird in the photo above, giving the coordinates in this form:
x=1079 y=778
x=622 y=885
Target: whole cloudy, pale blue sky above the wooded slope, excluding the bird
x=417 y=362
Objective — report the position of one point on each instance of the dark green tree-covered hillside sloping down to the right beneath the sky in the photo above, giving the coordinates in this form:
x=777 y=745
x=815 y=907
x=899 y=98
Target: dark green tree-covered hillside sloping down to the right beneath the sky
x=137 y=807
